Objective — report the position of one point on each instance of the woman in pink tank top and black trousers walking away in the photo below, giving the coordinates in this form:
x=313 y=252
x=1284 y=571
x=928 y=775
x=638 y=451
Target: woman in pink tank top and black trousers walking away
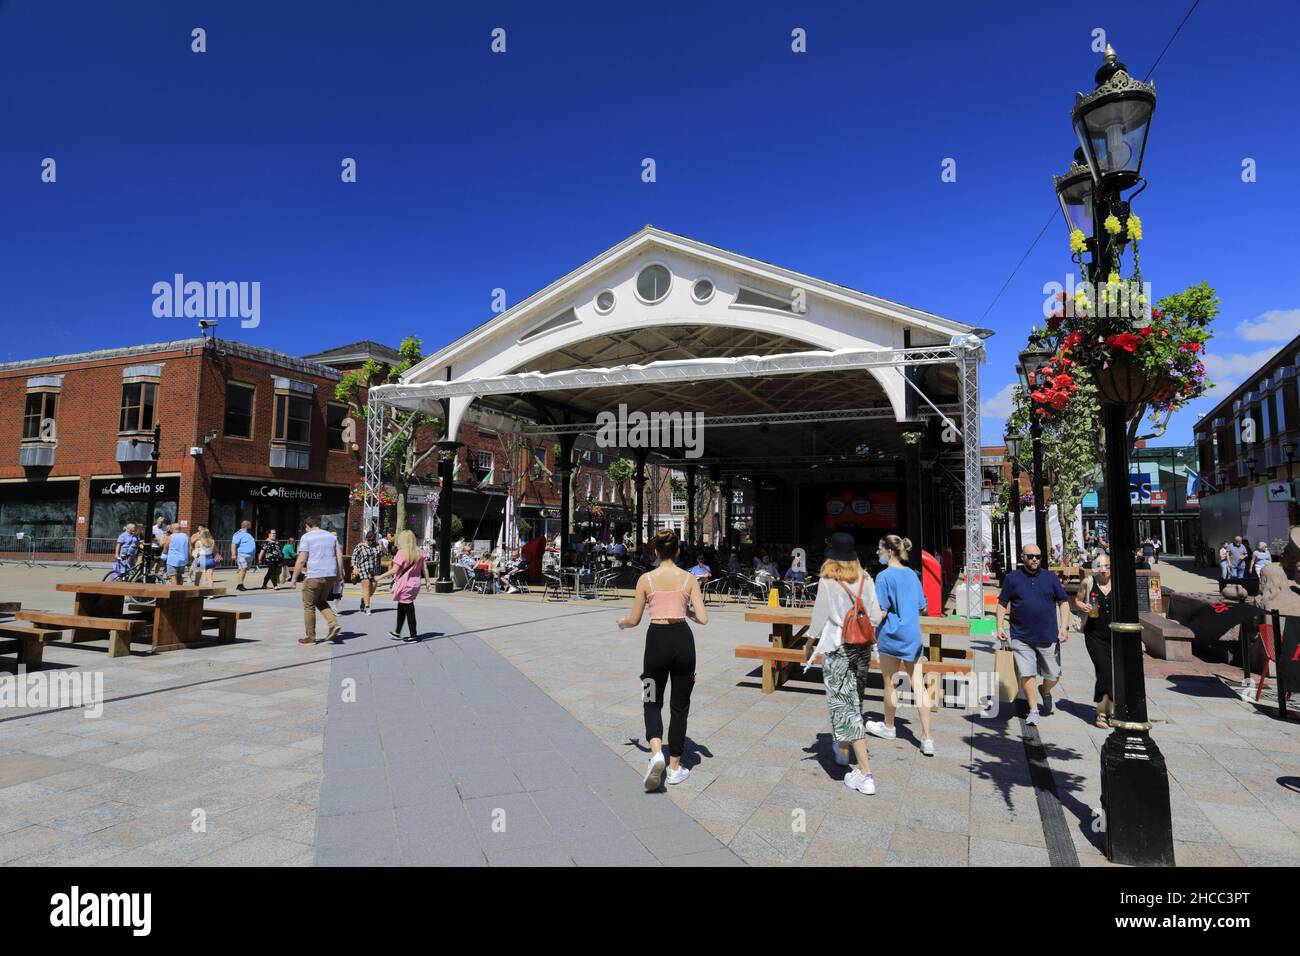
x=673 y=596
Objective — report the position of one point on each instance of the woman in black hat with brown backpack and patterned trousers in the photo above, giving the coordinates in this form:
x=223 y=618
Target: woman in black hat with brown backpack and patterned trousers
x=844 y=589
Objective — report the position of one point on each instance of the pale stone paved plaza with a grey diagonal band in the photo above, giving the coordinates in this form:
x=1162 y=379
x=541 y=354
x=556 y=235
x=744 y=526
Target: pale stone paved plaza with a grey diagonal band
x=513 y=736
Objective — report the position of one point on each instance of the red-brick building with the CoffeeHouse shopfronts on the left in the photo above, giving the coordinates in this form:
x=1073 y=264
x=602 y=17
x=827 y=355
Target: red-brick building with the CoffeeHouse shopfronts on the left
x=245 y=434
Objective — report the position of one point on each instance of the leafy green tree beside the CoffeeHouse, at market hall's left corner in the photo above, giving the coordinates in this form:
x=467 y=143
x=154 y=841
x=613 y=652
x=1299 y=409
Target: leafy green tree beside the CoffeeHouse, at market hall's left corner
x=415 y=434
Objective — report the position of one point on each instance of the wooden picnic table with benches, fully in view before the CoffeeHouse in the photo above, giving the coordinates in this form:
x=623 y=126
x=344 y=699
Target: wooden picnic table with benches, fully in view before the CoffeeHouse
x=177 y=609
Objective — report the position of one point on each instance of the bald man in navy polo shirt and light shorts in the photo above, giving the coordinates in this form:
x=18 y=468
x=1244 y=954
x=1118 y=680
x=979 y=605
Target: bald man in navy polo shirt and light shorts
x=1041 y=615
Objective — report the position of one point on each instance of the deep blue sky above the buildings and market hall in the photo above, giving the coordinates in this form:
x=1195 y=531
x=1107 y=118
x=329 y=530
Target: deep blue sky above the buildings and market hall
x=480 y=171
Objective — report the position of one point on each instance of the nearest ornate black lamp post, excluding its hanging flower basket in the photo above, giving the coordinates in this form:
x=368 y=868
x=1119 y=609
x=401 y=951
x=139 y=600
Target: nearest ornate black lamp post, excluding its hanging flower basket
x=1112 y=124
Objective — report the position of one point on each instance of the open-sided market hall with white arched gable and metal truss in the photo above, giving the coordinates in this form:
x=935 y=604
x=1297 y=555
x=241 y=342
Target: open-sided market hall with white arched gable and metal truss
x=846 y=410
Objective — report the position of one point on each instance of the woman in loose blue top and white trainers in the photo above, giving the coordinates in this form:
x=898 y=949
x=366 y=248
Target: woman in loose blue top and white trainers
x=899 y=637
